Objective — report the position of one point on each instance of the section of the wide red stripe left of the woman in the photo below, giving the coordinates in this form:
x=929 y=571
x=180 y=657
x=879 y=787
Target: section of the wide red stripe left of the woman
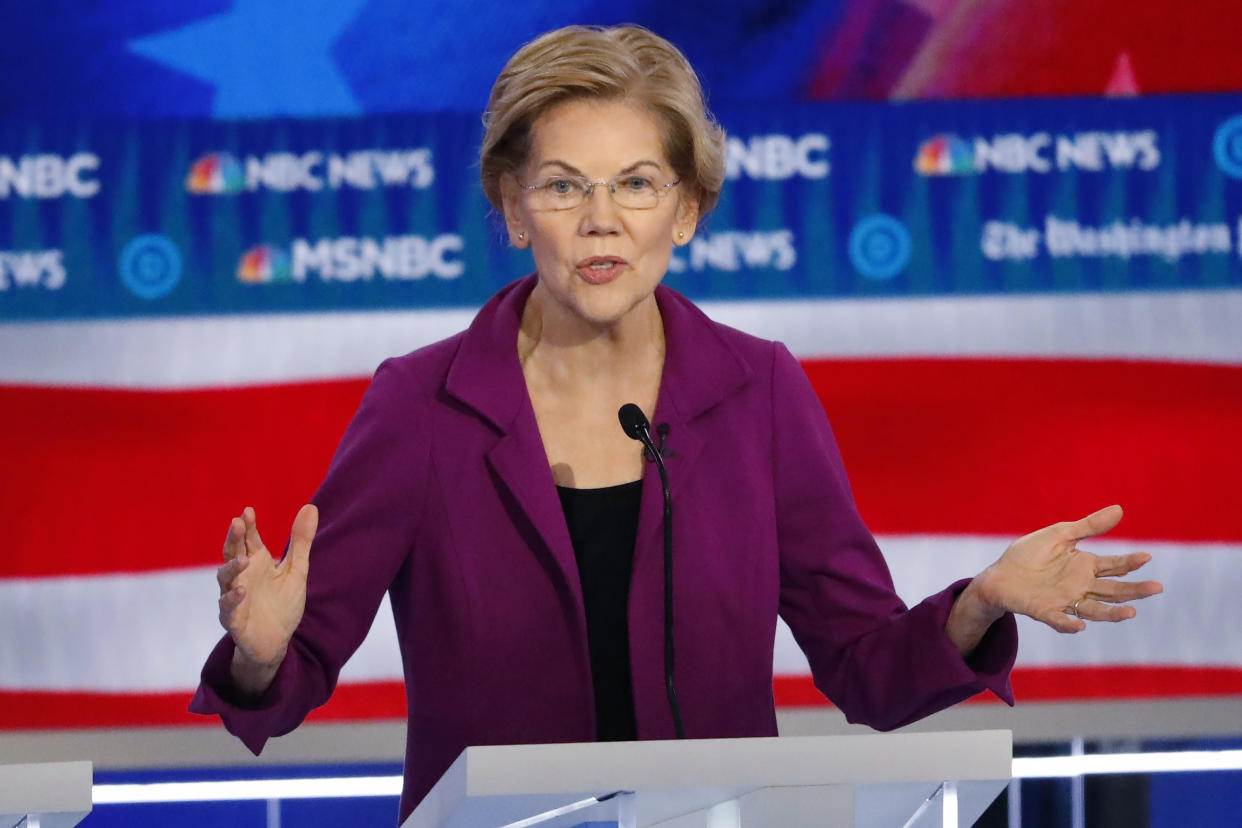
x=134 y=481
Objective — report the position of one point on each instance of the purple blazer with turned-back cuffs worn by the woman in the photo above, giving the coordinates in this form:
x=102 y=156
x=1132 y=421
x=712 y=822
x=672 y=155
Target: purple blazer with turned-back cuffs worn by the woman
x=442 y=496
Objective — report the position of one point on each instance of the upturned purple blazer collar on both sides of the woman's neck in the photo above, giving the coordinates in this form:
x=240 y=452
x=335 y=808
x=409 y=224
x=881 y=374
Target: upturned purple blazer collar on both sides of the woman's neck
x=701 y=368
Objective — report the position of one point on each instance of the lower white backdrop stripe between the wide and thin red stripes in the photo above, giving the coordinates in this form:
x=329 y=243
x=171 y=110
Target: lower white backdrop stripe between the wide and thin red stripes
x=151 y=632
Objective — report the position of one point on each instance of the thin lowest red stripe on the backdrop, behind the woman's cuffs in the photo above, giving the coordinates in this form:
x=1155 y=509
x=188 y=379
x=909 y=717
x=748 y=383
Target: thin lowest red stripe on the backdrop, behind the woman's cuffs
x=386 y=701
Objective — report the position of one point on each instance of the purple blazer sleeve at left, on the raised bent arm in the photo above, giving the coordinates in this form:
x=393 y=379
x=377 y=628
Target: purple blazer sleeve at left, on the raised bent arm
x=368 y=508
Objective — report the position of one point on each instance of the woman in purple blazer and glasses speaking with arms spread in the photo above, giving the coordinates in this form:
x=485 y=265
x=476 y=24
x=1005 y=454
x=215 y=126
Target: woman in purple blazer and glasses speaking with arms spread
x=486 y=486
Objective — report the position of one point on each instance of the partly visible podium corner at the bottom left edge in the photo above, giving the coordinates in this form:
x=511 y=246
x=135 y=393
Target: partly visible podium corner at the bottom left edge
x=52 y=795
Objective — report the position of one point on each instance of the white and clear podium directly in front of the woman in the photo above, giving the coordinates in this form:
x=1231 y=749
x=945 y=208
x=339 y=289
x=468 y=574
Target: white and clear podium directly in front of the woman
x=895 y=780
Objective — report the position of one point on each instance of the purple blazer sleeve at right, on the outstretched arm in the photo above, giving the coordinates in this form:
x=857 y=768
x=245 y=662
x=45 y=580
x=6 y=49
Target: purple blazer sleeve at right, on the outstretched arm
x=882 y=664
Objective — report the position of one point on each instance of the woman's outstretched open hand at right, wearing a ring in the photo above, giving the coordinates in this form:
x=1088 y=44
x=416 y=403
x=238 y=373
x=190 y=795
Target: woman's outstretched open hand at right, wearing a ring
x=1046 y=577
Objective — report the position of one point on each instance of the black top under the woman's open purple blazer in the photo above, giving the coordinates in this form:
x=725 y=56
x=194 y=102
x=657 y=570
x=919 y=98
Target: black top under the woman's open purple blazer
x=603 y=527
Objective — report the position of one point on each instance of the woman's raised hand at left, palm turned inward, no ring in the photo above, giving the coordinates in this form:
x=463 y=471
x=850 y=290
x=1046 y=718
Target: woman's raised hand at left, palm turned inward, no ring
x=261 y=600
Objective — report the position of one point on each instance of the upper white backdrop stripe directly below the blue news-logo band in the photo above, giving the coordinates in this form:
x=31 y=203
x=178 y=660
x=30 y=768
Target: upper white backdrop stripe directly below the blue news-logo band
x=204 y=352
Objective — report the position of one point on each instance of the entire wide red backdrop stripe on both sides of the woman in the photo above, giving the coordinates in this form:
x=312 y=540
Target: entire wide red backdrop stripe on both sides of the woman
x=125 y=481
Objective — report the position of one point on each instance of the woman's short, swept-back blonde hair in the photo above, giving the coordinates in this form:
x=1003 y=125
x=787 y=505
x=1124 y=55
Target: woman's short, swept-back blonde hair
x=608 y=64
